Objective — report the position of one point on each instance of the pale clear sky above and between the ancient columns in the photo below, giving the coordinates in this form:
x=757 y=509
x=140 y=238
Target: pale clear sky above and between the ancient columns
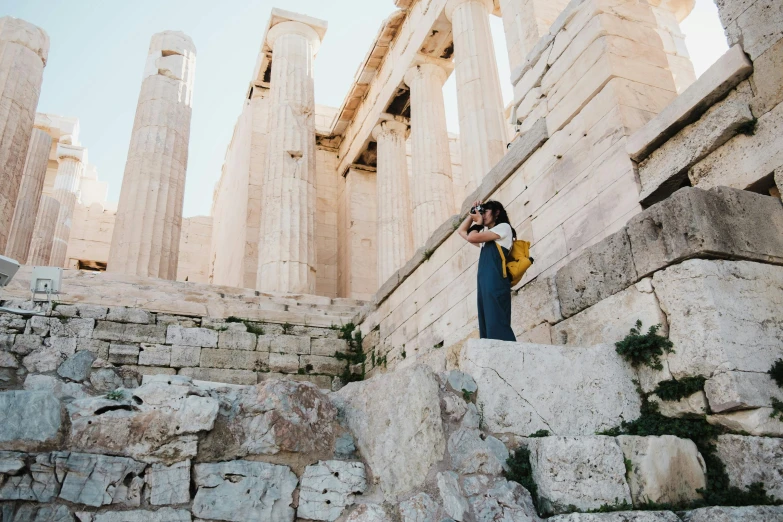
x=98 y=50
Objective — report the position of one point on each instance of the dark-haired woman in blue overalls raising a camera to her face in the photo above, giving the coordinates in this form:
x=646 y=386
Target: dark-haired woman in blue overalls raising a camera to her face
x=490 y=225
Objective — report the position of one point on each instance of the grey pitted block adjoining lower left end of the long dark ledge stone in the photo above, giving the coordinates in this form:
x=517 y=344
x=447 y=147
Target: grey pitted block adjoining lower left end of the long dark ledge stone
x=598 y=272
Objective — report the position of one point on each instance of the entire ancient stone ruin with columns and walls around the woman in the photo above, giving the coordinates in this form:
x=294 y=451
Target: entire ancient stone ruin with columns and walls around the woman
x=322 y=363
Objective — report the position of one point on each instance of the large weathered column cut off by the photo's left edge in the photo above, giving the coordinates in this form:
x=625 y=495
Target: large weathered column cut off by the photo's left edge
x=23 y=52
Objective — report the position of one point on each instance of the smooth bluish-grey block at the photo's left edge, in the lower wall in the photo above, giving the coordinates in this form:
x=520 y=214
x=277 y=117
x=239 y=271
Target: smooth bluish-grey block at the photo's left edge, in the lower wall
x=31 y=420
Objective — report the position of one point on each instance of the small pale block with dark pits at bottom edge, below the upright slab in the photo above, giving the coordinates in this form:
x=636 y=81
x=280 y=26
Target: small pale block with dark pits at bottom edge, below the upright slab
x=328 y=487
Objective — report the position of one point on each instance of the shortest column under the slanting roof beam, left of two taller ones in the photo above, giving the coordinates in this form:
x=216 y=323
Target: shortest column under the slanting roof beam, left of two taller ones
x=395 y=233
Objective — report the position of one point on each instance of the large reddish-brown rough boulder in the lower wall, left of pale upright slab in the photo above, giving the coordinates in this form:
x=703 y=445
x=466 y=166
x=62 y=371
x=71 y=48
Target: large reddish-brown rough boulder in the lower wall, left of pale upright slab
x=271 y=417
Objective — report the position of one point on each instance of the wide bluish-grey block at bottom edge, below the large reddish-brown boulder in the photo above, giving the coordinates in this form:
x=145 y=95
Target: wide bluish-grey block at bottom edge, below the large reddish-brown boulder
x=222 y=491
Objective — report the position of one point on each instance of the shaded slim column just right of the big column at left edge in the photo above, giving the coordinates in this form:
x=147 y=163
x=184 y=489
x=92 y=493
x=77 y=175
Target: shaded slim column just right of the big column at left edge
x=29 y=197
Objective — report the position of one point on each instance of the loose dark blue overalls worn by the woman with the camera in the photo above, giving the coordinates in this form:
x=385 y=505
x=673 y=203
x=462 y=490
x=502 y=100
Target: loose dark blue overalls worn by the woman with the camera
x=494 y=296
